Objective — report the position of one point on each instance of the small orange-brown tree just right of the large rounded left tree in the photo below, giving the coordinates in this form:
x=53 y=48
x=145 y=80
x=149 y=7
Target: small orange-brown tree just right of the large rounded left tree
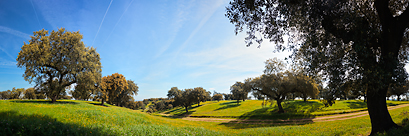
x=111 y=87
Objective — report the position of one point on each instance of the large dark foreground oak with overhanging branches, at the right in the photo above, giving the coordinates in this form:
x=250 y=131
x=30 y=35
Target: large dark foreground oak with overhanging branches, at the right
x=345 y=39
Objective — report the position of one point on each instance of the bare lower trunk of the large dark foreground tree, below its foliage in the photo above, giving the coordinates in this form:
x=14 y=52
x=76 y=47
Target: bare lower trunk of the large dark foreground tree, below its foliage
x=378 y=112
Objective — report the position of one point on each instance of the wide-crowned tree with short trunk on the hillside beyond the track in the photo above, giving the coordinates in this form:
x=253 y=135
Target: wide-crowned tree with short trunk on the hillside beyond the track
x=277 y=84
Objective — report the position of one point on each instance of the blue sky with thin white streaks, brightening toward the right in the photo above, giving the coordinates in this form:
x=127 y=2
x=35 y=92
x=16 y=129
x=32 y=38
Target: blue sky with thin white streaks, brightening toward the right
x=158 y=44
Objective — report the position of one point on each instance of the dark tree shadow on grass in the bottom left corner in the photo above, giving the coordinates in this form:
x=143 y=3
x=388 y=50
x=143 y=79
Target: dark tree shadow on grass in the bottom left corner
x=12 y=123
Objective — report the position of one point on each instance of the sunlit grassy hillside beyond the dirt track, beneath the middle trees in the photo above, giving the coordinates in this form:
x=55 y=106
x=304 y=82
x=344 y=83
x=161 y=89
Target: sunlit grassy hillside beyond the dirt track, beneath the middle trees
x=253 y=109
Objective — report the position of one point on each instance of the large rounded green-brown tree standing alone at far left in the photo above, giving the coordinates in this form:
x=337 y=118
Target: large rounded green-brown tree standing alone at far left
x=57 y=60
